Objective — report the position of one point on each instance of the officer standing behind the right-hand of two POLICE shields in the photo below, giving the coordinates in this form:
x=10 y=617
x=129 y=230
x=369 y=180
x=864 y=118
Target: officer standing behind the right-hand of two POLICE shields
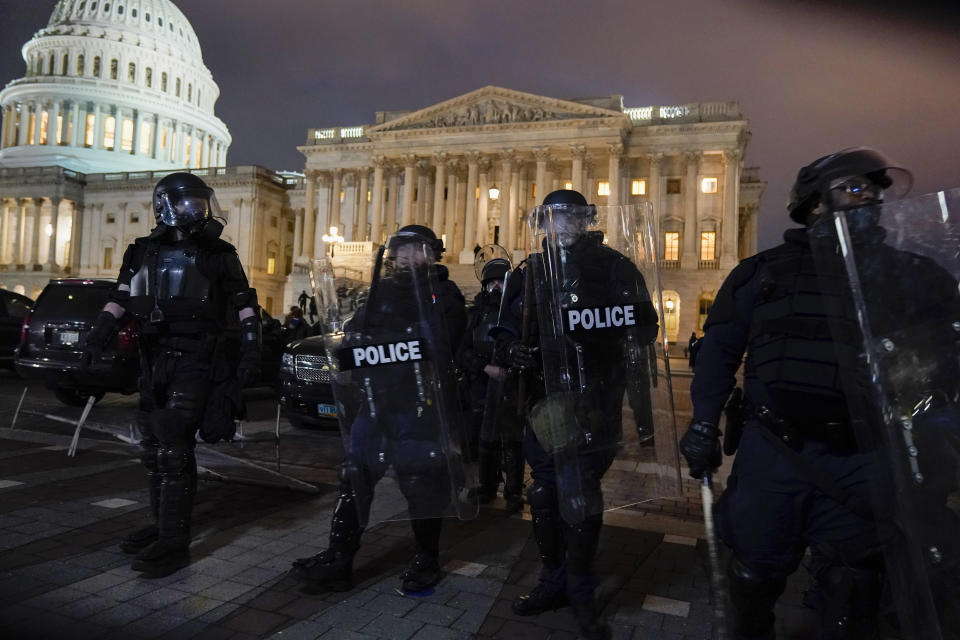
x=596 y=272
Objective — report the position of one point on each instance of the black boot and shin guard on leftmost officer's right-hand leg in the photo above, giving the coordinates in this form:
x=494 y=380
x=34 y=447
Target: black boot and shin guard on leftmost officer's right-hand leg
x=171 y=551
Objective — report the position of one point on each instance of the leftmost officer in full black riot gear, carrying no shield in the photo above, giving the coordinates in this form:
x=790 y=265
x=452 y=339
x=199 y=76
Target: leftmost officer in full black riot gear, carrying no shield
x=185 y=286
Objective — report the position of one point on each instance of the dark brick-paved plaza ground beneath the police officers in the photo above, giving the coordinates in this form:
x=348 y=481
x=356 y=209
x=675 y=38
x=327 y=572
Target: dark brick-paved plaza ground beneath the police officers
x=62 y=575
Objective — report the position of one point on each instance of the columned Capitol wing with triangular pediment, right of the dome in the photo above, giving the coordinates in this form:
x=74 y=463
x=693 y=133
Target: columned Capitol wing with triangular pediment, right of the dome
x=472 y=167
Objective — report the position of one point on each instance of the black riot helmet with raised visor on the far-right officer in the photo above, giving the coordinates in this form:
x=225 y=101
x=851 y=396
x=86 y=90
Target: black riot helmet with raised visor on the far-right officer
x=854 y=178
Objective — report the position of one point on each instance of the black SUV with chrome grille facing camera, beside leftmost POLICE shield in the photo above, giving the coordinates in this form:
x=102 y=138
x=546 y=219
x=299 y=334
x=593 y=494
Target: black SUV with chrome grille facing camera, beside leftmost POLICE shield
x=305 y=392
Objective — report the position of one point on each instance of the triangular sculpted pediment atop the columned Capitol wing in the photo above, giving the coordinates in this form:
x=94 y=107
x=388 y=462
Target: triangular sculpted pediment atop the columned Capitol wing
x=494 y=106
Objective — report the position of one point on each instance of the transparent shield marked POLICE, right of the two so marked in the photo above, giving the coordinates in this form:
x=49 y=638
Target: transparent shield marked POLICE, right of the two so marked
x=606 y=408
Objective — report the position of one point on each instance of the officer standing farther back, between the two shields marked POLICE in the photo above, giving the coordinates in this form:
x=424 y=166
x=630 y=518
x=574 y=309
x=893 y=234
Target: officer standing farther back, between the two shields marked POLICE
x=487 y=386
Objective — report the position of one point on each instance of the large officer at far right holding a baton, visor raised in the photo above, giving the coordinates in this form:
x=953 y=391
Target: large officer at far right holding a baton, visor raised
x=800 y=478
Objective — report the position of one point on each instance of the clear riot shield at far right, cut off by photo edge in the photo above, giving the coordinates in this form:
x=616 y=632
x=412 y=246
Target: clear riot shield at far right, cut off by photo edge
x=901 y=262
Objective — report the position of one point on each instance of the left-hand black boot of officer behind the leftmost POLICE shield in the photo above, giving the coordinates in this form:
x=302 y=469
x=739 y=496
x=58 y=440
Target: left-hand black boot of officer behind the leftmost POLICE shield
x=332 y=568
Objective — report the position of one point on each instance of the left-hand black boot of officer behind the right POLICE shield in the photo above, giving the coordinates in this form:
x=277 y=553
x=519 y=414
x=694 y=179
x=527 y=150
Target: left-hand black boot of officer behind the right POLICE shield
x=549 y=593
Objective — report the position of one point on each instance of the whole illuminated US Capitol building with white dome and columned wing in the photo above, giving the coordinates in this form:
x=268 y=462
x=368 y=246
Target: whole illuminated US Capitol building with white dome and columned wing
x=116 y=95
